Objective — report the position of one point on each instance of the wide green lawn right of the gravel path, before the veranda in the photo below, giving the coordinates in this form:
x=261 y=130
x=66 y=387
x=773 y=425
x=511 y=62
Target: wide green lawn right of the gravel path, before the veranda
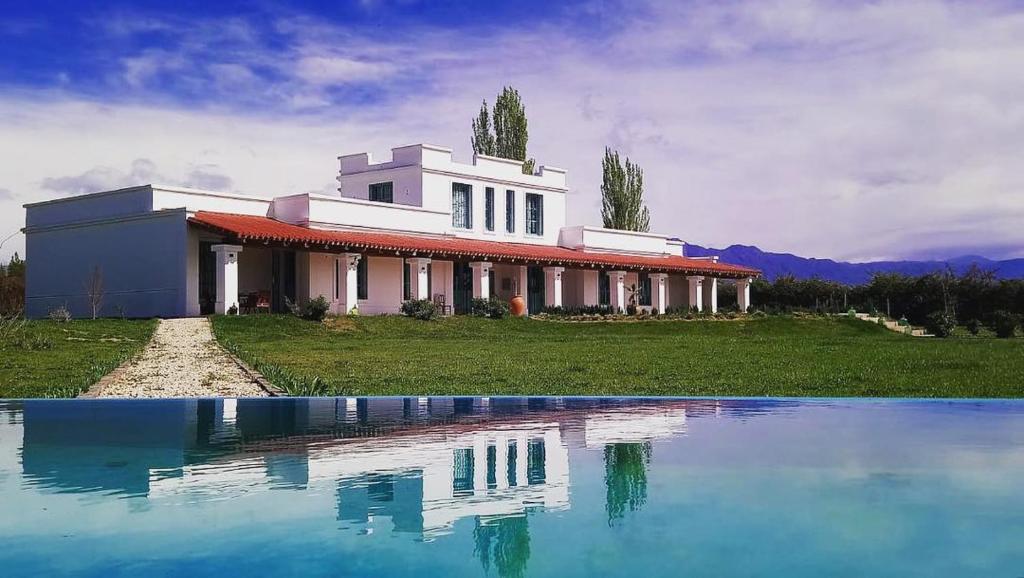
x=756 y=357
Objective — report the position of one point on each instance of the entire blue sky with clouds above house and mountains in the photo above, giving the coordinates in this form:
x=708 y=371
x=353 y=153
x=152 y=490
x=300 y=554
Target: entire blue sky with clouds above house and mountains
x=838 y=130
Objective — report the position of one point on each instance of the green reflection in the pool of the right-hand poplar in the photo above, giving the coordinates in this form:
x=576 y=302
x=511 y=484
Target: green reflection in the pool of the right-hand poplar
x=626 y=478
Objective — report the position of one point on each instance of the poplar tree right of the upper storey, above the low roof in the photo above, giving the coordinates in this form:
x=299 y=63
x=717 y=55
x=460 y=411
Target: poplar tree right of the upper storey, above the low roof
x=622 y=195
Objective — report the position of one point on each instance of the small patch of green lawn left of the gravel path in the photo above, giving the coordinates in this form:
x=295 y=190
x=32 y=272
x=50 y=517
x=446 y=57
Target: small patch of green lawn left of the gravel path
x=46 y=359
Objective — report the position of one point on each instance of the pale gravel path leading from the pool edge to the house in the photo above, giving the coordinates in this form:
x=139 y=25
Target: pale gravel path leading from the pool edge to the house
x=183 y=360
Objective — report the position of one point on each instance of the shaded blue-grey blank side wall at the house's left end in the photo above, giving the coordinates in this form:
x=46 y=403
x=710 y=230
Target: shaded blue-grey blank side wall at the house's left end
x=144 y=261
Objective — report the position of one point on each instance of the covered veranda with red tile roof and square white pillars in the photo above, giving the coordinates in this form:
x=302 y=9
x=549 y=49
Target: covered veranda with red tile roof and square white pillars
x=373 y=272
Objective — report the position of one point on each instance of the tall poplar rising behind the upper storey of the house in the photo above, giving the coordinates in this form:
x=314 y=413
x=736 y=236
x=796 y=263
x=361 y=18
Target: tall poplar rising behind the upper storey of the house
x=510 y=133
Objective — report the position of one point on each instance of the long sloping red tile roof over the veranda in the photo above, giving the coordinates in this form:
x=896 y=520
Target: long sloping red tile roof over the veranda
x=247 y=228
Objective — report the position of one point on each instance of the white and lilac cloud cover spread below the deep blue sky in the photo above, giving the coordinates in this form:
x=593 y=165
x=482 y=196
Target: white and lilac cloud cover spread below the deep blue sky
x=828 y=130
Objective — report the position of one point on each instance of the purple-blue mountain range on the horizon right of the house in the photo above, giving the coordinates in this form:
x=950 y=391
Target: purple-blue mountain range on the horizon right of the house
x=776 y=265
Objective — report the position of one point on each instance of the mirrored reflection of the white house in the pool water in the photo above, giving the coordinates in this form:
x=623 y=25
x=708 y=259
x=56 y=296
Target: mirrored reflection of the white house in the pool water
x=417 y=465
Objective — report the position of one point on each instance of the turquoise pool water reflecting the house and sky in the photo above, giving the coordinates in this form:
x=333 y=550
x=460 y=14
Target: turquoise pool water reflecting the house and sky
x=511 y=487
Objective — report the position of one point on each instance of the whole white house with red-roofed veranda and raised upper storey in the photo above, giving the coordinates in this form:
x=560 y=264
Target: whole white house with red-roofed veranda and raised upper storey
x=418 y=226
